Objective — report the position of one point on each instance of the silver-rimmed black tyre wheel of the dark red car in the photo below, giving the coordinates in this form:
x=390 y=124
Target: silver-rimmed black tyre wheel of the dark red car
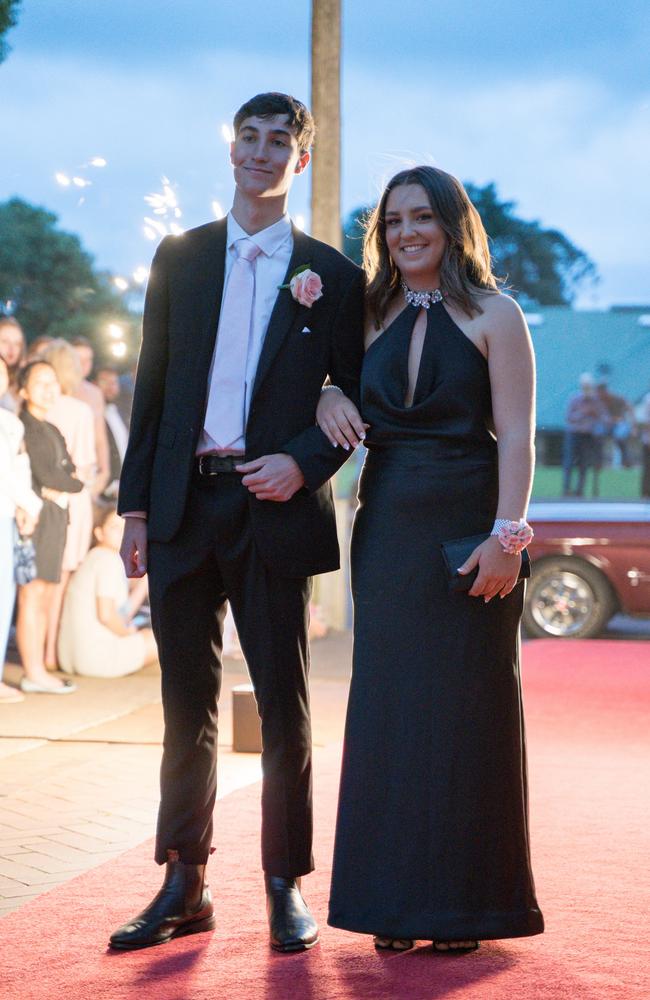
x=567 y=599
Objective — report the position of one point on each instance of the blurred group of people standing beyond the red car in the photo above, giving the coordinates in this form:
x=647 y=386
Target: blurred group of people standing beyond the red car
x=603 y=429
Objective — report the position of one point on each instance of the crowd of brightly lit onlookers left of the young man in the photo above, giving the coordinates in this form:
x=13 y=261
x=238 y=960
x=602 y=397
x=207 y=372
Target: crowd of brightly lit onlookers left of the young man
x=62 y=442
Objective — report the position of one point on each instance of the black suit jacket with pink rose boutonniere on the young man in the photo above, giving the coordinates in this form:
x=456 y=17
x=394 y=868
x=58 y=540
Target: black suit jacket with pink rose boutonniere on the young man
x=302 y=346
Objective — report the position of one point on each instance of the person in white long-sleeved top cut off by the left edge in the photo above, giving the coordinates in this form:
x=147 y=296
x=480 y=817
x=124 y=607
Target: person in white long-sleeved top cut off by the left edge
x=19 y=509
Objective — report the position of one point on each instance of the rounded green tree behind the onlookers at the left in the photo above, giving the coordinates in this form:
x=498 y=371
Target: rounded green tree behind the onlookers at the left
x=49 y=278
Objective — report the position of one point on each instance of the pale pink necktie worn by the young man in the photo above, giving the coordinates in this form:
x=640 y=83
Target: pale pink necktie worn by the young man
x=225 y=418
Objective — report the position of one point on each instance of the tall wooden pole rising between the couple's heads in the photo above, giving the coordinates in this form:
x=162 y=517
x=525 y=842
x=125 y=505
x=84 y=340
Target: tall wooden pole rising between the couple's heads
x=326 y=108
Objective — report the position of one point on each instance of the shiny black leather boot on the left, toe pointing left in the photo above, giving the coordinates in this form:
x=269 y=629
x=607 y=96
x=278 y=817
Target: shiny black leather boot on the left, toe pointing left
x=183 y=906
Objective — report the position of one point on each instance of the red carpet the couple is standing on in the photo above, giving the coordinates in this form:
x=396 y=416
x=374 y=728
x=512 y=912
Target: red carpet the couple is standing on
x=587 y=706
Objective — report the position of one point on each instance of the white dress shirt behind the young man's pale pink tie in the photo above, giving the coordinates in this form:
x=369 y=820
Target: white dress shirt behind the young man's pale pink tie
x=270 y=268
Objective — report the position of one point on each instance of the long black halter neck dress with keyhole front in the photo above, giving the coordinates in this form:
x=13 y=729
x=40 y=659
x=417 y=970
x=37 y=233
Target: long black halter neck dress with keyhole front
x=432 y=830
